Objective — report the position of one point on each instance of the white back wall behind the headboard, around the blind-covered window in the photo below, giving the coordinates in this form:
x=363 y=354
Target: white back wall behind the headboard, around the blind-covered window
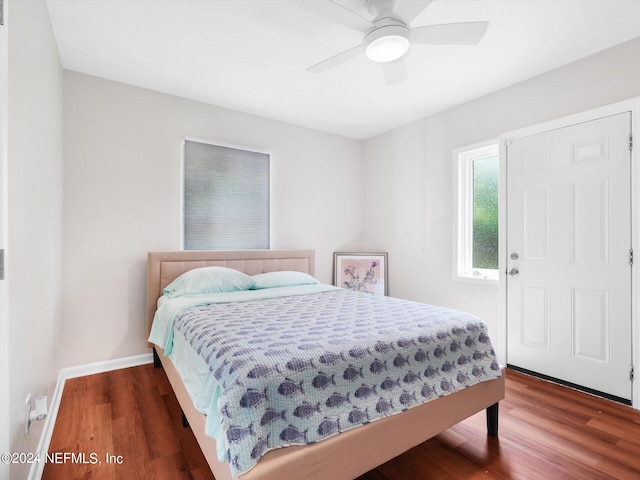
x=122 y=198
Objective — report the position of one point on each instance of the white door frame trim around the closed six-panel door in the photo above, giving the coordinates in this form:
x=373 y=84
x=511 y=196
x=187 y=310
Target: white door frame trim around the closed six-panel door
x=630 y=105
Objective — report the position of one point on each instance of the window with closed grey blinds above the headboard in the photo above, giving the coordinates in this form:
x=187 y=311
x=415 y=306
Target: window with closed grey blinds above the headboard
x=226 y=197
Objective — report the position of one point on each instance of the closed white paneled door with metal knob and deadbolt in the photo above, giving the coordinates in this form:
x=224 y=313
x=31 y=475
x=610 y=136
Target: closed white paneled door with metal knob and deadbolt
x=568 y=247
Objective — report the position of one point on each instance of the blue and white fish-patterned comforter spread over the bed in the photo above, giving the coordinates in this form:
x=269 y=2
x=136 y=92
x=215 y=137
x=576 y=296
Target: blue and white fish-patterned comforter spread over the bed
x=298 y=369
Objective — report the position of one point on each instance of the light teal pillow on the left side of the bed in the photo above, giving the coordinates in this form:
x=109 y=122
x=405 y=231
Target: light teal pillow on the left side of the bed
x=208 y=280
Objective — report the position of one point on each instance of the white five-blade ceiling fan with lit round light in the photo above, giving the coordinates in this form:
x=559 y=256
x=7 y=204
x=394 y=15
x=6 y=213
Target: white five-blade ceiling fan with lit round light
x=388 y=36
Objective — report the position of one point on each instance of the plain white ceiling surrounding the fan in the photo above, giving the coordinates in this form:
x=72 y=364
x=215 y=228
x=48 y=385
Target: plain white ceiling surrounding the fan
x=252 y=55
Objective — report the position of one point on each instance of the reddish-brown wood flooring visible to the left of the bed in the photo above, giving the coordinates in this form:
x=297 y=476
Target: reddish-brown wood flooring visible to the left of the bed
x=123 y=418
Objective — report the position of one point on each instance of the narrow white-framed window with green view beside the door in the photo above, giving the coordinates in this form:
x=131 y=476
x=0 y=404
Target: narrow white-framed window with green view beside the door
x=477 y=177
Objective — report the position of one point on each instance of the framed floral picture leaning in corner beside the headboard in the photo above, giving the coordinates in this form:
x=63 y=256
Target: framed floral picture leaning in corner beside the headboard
x=362 y=272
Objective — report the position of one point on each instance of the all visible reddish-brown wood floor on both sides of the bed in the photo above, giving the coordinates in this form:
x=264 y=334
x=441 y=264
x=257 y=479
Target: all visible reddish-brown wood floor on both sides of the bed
x=546 y=432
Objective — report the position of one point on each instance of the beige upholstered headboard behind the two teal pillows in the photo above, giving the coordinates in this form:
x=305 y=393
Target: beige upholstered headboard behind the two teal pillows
x=164 y=267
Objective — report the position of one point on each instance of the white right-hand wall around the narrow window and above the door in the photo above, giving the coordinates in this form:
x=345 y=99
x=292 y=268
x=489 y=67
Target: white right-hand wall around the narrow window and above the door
x=409 y=171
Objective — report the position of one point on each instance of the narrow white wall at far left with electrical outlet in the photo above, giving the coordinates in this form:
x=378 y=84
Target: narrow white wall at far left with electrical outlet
x=34 y=215
